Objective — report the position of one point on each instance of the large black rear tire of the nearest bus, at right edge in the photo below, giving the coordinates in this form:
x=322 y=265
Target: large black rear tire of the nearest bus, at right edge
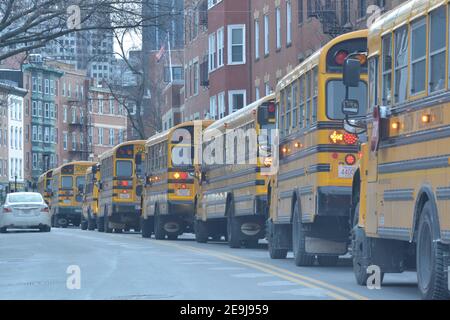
x=430 y=255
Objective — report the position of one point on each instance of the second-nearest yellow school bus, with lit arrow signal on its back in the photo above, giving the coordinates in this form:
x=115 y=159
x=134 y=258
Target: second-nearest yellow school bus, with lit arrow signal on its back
x=310 y=195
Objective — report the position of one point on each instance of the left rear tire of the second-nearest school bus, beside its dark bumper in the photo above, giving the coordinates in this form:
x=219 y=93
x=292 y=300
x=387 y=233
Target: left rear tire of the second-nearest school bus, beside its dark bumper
x=301 y=257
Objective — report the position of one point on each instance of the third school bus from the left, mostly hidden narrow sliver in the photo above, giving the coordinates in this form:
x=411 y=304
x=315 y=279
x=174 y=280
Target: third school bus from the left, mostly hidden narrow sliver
x=90 y=198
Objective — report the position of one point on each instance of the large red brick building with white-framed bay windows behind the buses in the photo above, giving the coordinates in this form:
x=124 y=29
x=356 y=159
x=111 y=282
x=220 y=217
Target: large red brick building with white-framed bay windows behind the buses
x=236 y=51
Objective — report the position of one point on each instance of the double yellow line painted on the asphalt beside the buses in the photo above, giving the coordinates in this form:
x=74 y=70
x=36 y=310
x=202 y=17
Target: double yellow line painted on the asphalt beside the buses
x=259 y=266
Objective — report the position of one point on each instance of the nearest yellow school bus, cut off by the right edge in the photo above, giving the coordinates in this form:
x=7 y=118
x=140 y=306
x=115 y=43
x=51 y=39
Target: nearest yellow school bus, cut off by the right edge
x=401 y=193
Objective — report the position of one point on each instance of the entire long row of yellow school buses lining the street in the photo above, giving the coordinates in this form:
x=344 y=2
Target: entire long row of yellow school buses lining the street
x=360 y=159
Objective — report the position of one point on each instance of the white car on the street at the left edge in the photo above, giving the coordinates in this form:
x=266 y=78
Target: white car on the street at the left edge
x=25 y=210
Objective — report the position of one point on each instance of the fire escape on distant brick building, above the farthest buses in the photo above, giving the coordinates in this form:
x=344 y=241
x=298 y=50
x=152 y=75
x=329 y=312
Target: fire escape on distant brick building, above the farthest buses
x=79 y=123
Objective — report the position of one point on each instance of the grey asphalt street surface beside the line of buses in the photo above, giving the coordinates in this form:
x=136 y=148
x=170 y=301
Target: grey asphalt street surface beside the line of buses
x=75 y=264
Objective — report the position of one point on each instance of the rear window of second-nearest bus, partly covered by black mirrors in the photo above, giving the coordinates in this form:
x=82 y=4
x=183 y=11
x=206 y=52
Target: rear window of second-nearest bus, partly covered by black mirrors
x=336 y=95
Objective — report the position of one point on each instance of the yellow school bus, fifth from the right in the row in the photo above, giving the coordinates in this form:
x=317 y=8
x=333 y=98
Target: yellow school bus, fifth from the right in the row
x=120 y=188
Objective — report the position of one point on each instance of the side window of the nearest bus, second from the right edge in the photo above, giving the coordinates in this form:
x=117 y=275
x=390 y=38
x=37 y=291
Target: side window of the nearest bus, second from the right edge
x=418 y=56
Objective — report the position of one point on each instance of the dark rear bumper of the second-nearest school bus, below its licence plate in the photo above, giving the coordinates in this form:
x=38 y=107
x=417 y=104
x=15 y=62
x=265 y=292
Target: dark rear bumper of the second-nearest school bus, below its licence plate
x=333 y=201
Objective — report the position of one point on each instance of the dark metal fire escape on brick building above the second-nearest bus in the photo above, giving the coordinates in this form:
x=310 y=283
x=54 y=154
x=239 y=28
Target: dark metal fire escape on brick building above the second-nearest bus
x=333 y=14
